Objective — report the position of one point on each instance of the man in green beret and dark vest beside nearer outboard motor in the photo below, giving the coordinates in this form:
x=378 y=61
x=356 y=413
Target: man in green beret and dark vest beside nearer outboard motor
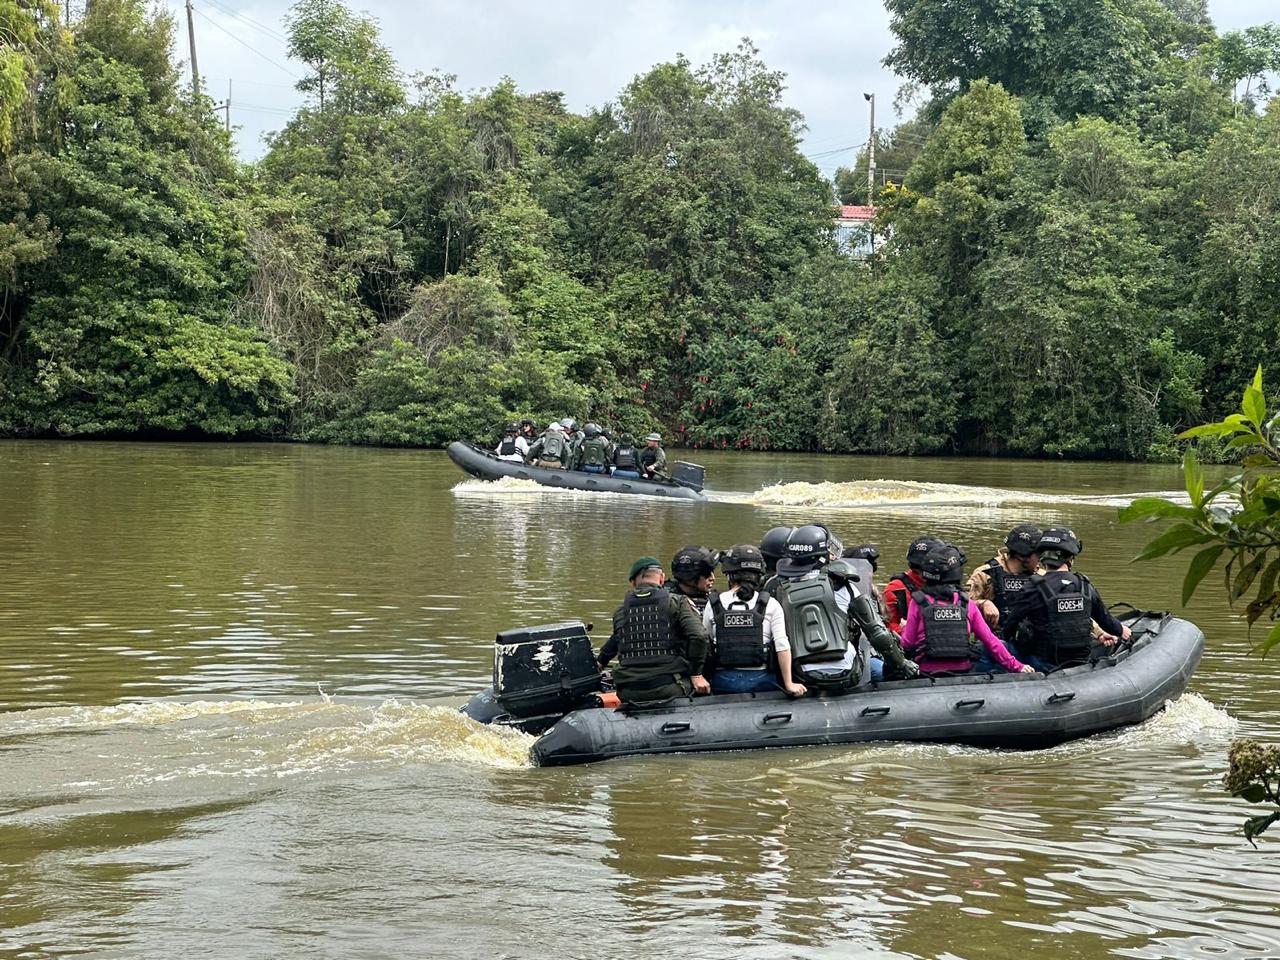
x=659 y=639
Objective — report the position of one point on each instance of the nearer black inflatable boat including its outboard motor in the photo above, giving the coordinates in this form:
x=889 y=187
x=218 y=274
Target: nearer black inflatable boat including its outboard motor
x=1005 y=711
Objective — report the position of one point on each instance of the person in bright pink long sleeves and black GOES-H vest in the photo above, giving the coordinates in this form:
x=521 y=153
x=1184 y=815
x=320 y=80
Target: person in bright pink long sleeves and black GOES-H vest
x=943 y=620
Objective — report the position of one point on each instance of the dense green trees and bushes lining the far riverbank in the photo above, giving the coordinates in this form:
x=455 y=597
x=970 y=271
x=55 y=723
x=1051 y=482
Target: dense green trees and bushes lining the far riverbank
x=1078 y=253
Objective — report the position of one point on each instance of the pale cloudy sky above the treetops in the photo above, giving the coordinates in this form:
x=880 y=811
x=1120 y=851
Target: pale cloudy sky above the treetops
x=589 y=51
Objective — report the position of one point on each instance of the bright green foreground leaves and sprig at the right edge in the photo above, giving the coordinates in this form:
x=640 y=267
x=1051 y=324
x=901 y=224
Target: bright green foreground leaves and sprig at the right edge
x=1238 y=519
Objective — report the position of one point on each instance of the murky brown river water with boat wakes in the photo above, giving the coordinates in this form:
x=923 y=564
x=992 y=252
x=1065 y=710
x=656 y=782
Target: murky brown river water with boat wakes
x=230 y=680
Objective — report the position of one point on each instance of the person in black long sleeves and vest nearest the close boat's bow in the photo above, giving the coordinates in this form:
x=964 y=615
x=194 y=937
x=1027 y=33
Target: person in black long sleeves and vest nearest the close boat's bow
x=1062 y=606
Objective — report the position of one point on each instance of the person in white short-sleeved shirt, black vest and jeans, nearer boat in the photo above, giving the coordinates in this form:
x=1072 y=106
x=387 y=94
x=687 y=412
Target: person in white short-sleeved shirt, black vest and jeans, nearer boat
x=748 y=632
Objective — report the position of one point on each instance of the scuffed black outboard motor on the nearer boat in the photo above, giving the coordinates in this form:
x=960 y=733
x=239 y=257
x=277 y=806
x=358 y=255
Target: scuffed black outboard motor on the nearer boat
x=545 y=670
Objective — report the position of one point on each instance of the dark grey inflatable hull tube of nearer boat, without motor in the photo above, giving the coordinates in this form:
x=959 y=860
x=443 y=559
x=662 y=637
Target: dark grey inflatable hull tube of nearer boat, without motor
x=1003 y=711
